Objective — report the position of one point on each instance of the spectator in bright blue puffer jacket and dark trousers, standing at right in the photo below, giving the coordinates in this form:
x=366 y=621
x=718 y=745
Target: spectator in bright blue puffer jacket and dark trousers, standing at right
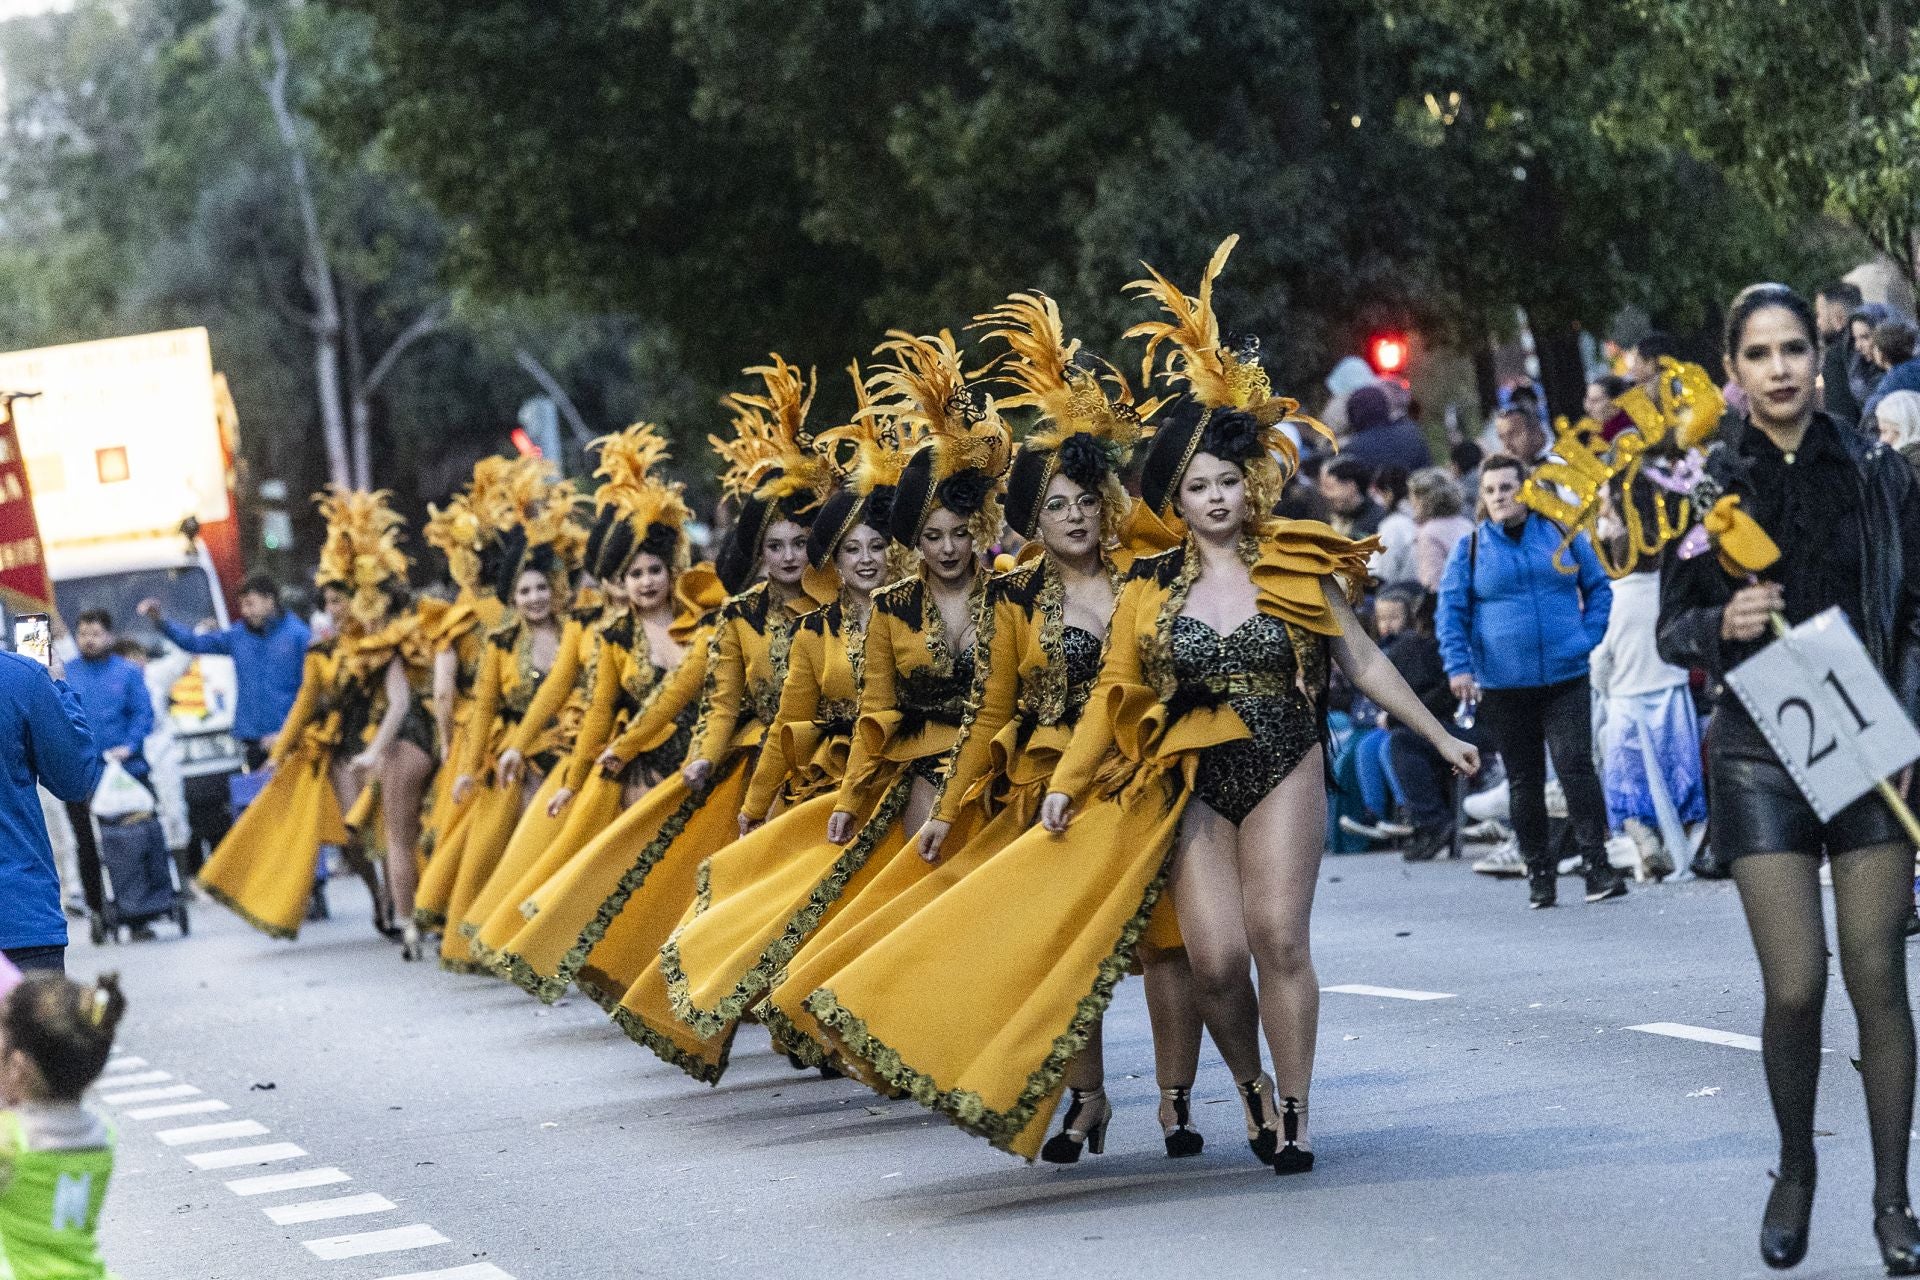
x=1516 y=634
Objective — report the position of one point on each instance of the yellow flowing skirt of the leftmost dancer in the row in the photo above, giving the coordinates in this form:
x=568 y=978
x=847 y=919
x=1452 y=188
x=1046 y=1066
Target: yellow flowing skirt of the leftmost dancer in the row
x=264 y=870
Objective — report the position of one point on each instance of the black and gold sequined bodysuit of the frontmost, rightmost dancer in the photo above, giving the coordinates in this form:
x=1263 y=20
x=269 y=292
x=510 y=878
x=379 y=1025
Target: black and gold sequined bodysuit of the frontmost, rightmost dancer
x=1253 y=671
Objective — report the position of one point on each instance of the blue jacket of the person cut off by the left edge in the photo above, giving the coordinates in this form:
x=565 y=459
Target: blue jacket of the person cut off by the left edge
x=43 y=740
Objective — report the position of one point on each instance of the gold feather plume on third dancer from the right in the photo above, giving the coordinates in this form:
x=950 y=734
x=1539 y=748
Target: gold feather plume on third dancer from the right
x=926 y=391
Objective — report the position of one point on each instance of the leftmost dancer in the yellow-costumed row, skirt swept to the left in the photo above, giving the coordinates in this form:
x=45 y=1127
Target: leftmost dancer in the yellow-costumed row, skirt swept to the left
x=362 y=713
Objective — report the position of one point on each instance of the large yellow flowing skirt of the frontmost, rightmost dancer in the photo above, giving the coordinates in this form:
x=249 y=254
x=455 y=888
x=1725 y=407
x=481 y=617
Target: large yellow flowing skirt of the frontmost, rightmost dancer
x=978 y=1001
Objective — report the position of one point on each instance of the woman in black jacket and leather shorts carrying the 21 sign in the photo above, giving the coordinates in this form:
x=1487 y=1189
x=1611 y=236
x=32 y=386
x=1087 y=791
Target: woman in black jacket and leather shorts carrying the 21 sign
x=1846 y=517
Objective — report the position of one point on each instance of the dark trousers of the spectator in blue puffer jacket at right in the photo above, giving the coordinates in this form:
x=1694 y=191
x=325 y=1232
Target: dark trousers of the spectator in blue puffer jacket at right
x=1524 y=726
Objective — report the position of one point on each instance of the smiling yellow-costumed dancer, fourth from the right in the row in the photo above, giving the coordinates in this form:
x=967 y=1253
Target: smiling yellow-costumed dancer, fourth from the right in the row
x=688 y=1001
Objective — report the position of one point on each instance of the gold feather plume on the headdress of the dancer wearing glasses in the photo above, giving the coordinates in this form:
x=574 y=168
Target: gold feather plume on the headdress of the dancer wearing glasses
x=1070 y=396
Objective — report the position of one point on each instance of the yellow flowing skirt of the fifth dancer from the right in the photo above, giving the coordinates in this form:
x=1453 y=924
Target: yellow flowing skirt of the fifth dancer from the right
x=571 y=914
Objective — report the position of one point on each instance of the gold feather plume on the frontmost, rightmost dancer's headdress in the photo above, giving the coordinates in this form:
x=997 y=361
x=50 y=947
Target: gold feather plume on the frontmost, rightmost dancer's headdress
x=1216 y=377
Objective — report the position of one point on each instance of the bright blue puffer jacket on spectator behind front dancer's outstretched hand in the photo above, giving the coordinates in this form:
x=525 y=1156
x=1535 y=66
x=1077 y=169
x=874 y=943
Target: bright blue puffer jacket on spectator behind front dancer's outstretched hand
x=1522 y=623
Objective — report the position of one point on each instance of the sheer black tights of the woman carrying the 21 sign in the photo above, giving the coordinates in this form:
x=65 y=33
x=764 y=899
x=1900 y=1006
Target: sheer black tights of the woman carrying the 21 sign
x=1873 y=891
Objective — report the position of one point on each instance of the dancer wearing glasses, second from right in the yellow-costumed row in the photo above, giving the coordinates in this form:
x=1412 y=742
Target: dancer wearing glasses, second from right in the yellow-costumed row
x=1044 y=630
